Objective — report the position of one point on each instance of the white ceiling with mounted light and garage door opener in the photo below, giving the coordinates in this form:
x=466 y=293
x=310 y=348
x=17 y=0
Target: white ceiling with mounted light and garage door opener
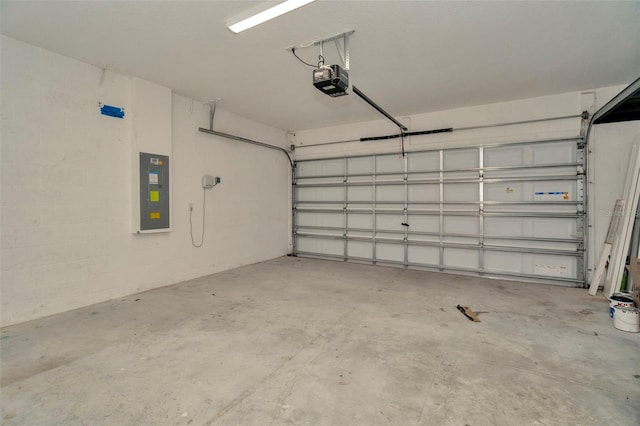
x=408 y=56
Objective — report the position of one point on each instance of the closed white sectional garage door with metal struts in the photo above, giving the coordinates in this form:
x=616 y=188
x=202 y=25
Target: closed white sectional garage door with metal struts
x=515 y=210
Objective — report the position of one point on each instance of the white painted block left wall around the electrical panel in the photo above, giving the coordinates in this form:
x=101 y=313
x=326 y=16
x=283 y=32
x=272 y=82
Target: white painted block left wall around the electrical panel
x=66 y=190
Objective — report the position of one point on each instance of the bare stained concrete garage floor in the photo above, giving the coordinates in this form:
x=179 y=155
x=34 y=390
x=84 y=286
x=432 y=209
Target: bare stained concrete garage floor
x=311 y=342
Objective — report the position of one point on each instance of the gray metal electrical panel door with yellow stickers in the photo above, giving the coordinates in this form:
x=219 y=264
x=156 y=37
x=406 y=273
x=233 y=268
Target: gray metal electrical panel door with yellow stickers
x=154 y=191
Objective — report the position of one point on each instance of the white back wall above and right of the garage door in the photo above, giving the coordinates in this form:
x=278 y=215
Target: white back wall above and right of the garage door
x=610 y=143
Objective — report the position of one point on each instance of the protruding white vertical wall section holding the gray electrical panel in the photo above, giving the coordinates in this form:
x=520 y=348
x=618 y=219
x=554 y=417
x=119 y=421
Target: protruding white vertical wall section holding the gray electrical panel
x=150 y=134
